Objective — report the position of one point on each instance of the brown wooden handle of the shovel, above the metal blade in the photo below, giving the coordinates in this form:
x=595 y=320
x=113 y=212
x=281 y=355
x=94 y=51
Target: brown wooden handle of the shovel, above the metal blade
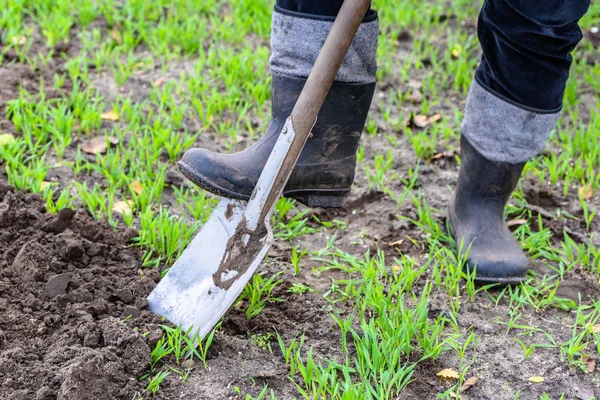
x=317 y=86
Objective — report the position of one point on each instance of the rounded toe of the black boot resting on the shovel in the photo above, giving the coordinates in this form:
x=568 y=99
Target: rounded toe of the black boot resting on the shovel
x=213 y=172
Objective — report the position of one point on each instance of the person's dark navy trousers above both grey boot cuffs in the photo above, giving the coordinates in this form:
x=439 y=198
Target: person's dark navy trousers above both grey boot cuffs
x=526 y=46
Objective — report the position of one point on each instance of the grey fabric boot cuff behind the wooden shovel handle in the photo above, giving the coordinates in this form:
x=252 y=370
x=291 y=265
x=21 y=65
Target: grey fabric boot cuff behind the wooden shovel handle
x=296 y=40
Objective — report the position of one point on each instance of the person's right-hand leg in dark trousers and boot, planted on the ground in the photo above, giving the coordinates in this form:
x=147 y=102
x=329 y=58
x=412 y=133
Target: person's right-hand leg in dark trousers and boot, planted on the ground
x=512 y=106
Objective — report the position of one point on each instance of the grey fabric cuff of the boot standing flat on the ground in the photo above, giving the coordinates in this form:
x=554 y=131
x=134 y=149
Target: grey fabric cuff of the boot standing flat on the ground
x=502 y=131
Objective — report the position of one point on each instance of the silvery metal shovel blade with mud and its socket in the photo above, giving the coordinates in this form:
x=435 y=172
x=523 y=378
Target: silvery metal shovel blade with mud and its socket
x=213 y=270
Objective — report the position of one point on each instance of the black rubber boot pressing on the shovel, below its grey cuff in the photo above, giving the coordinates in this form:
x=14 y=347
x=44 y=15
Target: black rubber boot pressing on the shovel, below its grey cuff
x=325 y=170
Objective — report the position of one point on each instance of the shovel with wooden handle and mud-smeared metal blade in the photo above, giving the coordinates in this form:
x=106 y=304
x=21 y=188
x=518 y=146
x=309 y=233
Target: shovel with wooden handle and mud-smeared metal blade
x=213 y=270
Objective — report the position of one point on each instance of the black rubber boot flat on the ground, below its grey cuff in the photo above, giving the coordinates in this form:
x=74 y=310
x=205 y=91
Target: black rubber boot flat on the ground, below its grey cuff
x=476 y=218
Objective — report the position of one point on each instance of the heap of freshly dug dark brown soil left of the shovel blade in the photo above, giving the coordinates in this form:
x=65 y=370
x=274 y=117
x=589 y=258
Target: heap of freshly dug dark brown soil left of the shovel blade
x=71 y=293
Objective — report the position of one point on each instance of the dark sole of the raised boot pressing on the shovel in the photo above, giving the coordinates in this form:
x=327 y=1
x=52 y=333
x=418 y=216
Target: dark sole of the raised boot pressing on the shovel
x=321 y=198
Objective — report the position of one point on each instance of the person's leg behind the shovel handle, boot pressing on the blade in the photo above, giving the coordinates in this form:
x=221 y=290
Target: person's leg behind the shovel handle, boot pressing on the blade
x=325 y=170
